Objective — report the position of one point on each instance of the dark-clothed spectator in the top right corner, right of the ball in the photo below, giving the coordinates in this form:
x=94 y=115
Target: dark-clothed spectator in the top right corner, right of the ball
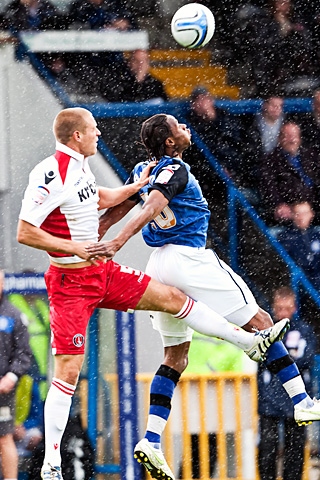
x=279 y=49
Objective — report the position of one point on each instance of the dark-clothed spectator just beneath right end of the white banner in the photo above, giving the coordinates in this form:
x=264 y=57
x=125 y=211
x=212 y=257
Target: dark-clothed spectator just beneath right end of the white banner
x=133 y=82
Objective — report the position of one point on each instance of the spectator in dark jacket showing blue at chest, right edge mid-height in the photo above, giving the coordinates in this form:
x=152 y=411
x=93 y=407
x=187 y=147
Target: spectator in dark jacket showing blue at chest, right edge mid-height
x=288 y=174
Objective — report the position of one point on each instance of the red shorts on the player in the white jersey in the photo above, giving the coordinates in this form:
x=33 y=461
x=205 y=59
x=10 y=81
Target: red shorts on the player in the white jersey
x=75 y=293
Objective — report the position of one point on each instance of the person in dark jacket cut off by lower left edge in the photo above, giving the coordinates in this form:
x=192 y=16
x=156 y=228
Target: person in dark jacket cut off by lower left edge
x=15 y=359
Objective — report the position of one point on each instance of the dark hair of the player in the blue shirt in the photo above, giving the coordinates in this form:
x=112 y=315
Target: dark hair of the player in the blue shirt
x=154 y=133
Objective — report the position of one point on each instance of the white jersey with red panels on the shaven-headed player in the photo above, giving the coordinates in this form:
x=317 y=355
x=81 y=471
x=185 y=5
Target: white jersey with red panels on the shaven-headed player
x=62 y=199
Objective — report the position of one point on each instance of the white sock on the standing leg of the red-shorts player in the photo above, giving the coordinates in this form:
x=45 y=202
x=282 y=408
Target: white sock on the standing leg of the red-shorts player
x=56 y=414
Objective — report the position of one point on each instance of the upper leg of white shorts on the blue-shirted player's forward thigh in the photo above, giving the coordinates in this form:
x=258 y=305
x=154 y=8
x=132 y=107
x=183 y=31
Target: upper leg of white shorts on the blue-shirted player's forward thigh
x=203 y=276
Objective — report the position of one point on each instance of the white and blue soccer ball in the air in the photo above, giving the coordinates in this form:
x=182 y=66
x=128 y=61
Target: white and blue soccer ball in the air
x=193 y=25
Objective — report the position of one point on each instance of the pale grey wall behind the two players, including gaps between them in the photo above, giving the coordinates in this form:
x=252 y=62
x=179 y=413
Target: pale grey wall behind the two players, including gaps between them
x=26 y=114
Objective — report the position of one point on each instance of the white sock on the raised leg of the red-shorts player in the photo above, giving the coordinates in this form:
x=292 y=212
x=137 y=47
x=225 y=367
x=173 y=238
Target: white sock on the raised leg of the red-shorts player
x=204 y=320
